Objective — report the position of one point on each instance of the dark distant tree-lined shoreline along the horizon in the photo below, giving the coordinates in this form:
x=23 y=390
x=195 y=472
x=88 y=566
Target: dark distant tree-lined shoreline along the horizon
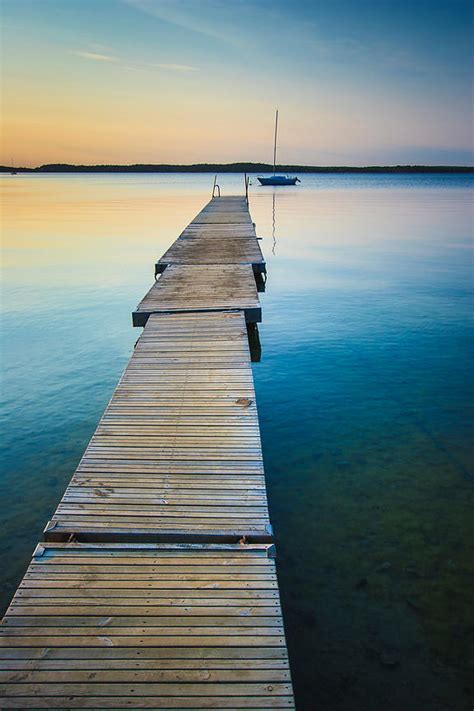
x=235 y=168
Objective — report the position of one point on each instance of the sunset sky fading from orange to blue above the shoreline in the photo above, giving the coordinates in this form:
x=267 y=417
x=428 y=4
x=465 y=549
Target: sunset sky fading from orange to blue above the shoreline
x=357 y=82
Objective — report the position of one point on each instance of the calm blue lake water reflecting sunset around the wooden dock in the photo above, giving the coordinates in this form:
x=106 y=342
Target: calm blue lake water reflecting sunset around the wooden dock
x=364 y=394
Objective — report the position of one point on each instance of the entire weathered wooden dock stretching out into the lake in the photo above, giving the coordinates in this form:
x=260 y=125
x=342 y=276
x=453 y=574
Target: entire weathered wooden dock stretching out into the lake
x=155 y=586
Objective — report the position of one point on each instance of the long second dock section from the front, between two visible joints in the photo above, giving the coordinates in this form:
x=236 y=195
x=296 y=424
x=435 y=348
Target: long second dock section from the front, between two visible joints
x=170 y=469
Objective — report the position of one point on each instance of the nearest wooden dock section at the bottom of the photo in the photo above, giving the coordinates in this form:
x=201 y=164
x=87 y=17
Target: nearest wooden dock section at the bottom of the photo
x=121 y=652
